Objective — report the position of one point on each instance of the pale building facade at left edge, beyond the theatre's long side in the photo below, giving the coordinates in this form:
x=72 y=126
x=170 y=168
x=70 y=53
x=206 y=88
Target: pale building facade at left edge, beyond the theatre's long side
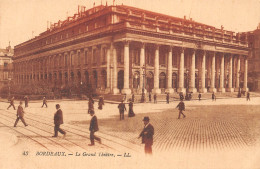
x=6 y=67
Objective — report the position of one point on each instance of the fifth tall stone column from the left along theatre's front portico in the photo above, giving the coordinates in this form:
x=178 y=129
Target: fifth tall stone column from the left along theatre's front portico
x=181 y=72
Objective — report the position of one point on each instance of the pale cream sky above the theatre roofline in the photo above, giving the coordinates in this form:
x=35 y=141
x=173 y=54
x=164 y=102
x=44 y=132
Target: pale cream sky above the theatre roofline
x=20 y=20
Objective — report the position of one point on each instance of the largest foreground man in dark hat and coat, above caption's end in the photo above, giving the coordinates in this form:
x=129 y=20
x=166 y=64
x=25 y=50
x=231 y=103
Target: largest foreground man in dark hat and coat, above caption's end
x=147 y=136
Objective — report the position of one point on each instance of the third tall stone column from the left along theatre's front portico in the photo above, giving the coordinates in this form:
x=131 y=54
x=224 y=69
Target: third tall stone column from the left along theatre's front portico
x=156 y=71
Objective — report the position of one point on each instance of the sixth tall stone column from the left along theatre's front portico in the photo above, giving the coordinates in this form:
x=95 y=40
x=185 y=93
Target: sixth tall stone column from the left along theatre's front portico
x=192 y=87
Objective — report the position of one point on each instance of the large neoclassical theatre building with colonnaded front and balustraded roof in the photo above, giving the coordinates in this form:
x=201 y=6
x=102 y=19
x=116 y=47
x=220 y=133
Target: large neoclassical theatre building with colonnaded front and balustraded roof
x=122 y=49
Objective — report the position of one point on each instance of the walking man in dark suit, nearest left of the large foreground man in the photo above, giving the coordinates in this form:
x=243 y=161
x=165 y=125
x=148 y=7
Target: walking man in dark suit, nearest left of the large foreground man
x=93 y=127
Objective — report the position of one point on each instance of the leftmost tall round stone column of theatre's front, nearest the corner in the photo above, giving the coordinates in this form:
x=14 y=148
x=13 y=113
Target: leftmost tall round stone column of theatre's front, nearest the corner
x=126 y=89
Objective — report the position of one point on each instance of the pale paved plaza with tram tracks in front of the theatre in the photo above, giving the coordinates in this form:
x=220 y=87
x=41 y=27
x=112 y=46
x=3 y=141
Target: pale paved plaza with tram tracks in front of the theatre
x=215 y=134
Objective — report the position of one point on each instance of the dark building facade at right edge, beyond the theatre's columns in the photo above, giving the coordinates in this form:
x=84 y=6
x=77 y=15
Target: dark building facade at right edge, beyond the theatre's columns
x=254 y=60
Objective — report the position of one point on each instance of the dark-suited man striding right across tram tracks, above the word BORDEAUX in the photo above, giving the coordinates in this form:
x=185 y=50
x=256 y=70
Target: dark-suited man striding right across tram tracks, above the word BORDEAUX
x=58 y=120
